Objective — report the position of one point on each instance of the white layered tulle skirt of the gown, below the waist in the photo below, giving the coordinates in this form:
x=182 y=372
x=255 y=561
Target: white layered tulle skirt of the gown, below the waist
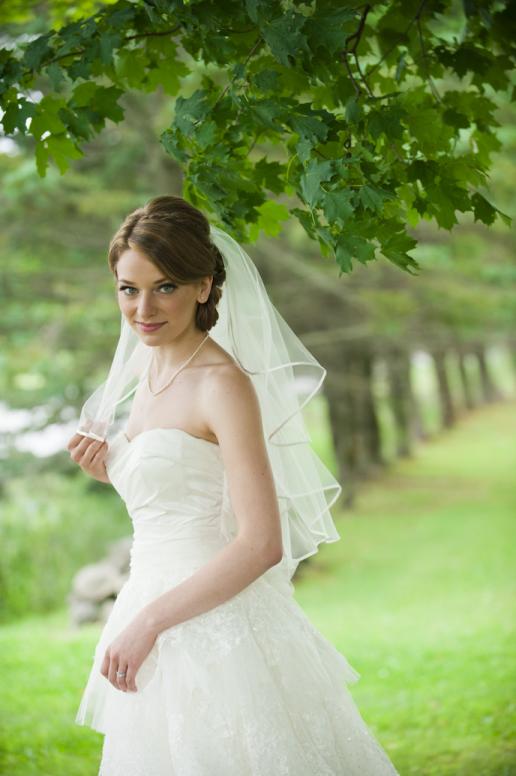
x=249 y=688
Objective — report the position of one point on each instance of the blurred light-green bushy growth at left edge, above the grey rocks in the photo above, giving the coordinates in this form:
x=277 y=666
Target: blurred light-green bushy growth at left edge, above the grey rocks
x=48 y=530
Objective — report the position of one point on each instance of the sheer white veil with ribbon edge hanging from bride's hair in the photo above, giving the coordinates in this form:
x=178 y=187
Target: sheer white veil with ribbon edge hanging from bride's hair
x=285 y=375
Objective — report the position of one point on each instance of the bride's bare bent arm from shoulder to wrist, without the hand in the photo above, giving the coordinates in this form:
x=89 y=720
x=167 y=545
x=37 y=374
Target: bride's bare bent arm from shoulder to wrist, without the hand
x=237 y=424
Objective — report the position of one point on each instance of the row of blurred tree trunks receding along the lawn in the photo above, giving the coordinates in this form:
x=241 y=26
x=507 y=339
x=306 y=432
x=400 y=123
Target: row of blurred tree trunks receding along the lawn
x=353 y=410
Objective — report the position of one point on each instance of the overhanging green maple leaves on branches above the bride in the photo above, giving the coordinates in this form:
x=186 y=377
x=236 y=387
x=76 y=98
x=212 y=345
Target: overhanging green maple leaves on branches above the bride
x=375 y=116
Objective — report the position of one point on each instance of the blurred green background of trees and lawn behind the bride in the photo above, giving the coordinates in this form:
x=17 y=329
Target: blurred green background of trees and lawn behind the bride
x=416 y=418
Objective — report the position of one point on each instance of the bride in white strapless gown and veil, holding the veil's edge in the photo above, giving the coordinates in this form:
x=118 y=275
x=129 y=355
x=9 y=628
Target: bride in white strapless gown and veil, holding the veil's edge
x=206 y=665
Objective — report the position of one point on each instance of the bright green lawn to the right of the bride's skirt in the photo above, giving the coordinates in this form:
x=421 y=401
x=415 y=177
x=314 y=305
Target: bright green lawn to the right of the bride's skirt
x=419 y=595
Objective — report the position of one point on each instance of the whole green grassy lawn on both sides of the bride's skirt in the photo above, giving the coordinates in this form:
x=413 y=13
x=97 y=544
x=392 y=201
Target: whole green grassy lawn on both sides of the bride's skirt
x=418 y=594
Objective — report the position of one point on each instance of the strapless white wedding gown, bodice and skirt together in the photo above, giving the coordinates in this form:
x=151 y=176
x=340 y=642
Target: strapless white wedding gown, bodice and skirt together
x=248 y=688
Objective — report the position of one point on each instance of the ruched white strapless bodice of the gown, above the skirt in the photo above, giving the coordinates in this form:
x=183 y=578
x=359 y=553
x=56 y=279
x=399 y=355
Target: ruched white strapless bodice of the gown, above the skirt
x=174 y=487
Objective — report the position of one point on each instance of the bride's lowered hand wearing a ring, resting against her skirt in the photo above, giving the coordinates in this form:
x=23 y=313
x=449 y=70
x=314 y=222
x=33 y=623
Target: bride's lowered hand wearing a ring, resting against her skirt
x=126 y=653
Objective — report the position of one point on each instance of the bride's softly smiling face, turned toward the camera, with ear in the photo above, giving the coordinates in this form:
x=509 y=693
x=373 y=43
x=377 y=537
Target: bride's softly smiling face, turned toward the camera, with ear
x=146 y=296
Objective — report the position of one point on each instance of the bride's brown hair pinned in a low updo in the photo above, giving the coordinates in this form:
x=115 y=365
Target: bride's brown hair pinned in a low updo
x=176 y=238
